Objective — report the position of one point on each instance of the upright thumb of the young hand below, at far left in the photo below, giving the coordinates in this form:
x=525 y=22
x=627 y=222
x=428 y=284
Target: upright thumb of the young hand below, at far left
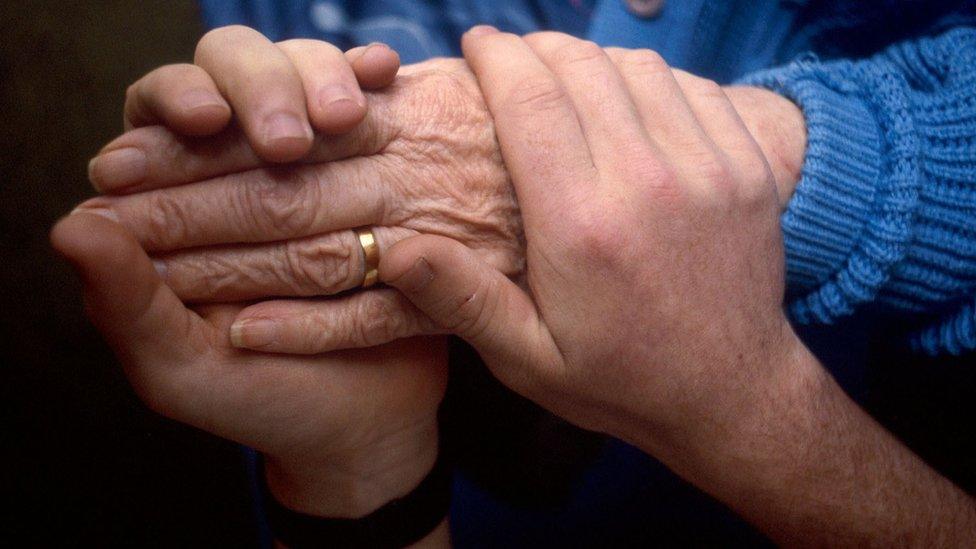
x=144 y=322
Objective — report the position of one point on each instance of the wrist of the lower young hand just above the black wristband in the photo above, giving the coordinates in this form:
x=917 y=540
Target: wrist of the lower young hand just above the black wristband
x=356 y=482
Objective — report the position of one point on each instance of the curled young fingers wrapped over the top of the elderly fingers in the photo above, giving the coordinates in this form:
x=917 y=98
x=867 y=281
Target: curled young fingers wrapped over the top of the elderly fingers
x=277 y=93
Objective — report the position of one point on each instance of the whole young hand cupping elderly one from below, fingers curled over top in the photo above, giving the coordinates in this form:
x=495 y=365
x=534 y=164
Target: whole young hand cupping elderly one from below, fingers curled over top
x=342 y=434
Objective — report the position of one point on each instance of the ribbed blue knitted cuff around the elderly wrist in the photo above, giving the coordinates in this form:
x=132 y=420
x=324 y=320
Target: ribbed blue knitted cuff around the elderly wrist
x=843 y=229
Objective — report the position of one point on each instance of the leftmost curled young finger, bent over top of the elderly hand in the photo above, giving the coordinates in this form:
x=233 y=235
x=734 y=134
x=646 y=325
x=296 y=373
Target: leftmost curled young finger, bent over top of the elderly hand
x=182 y=97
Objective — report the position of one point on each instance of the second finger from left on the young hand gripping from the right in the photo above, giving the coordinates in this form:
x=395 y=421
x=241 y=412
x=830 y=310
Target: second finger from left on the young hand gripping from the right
x=613 y=130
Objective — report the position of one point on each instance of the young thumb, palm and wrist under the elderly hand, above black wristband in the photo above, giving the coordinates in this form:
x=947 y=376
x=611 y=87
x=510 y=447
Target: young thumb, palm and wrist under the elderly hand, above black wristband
x=342 y=434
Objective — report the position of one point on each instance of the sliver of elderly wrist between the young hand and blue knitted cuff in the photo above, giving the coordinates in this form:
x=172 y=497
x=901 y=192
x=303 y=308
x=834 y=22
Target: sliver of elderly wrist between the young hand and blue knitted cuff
x=779 y=127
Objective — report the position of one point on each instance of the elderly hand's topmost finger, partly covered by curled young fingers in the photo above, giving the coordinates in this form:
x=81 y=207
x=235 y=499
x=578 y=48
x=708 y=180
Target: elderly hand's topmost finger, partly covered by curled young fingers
x=166 y=159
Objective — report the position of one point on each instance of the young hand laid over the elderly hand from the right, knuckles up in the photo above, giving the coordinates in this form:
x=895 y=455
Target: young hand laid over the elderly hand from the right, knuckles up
x=653 y=308
